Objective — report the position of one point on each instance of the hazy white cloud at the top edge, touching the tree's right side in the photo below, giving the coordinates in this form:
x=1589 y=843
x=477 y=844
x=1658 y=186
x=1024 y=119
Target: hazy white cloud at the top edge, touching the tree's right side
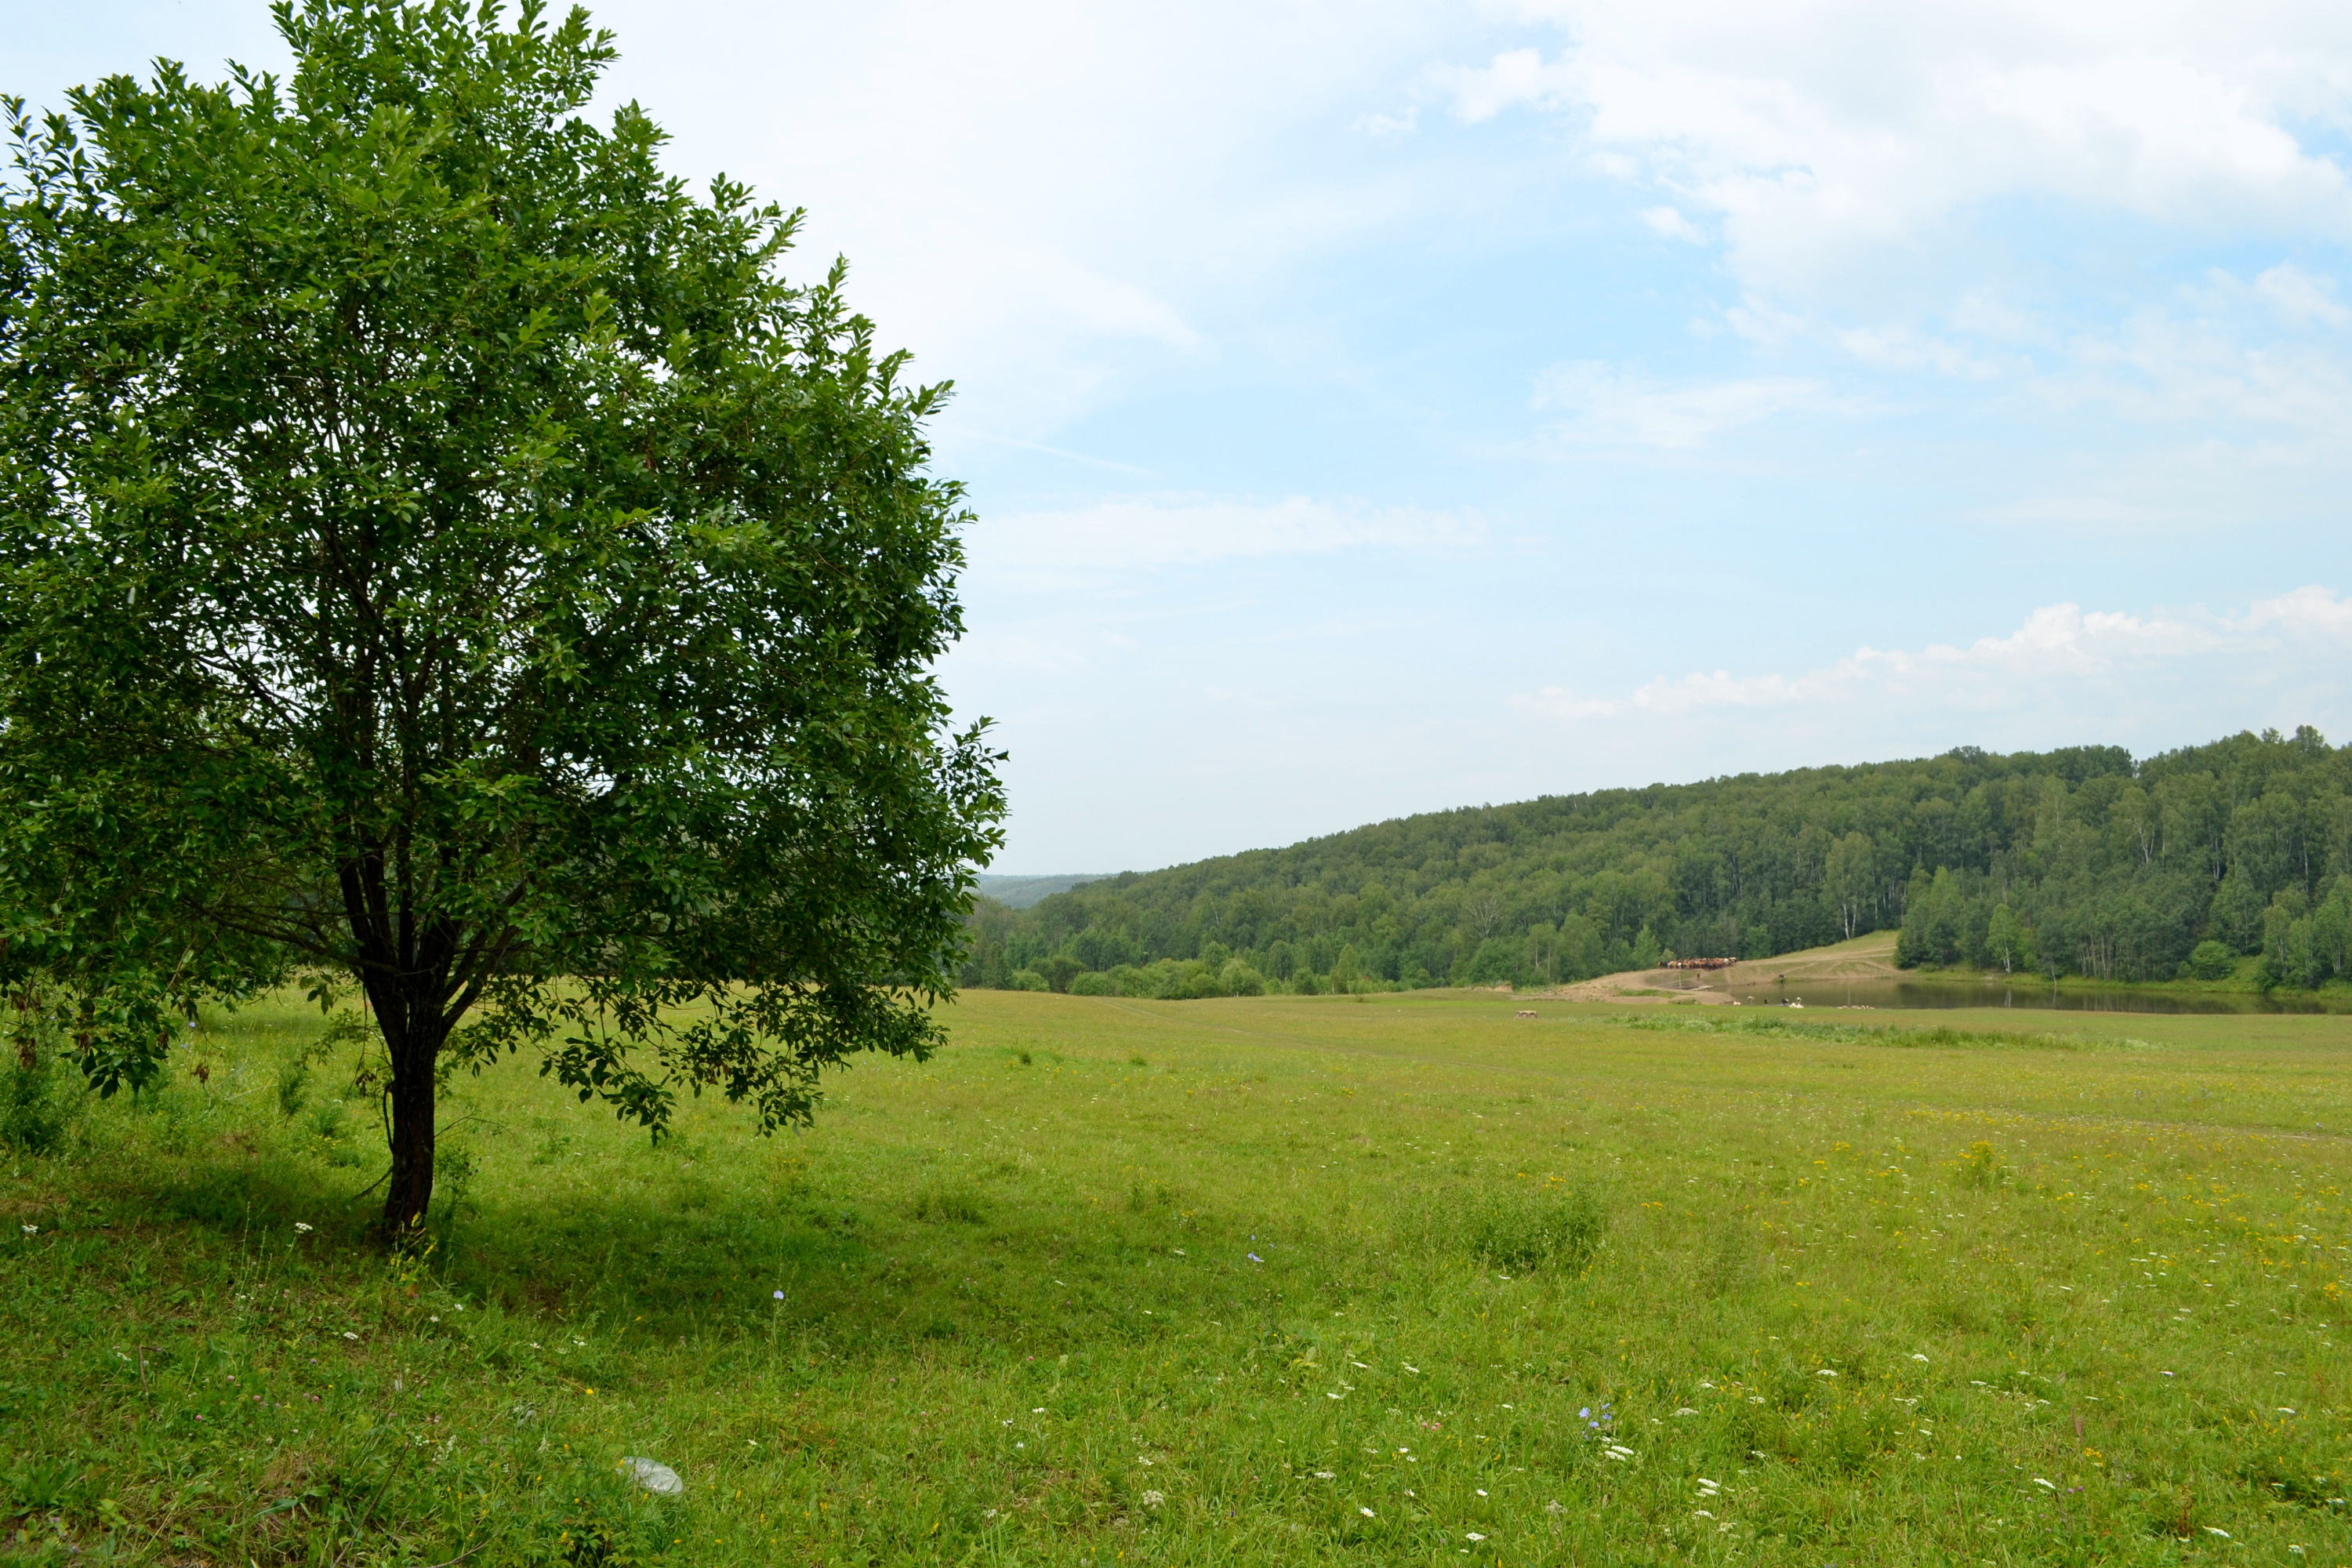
x=1036 y=196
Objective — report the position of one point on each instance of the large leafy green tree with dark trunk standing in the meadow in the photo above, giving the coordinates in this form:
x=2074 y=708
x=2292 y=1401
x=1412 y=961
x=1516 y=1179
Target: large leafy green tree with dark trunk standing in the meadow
x=441 y=549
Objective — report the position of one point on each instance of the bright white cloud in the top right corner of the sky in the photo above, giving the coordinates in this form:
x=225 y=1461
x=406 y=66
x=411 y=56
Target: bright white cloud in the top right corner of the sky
x=1819 y=130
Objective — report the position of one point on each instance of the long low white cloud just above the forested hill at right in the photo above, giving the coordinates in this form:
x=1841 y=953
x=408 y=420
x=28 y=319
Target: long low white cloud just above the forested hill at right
x=2059 y=645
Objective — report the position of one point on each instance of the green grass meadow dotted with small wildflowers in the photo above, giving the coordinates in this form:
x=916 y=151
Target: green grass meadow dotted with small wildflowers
x=1391 y=1280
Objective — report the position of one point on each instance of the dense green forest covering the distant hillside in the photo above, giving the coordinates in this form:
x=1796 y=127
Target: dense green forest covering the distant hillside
x=2062 y=864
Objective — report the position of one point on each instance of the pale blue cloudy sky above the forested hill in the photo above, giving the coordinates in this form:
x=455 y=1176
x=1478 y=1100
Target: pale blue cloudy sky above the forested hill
x=1382 y=408
